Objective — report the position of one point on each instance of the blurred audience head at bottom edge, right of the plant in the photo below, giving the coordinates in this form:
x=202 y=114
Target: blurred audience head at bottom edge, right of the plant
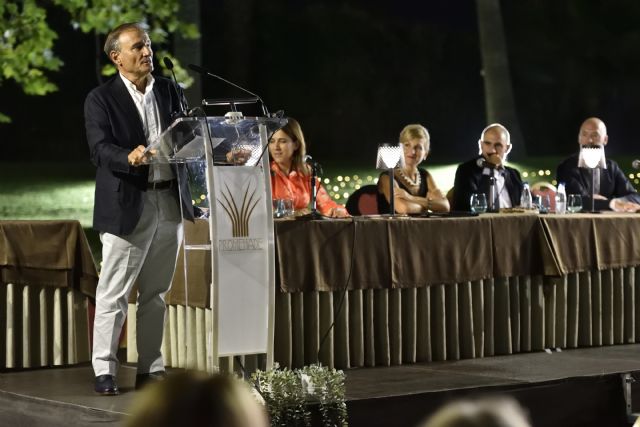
x=483 y=412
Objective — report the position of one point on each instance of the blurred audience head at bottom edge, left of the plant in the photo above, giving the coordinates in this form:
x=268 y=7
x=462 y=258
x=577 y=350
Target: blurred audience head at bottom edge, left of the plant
x=192 y=399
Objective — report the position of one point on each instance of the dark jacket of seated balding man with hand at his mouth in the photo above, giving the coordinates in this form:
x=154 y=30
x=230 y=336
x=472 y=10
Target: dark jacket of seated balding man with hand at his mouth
x=469 y=180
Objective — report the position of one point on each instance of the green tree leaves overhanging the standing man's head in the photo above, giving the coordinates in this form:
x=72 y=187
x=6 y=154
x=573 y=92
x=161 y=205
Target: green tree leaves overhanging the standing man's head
x=26 y=40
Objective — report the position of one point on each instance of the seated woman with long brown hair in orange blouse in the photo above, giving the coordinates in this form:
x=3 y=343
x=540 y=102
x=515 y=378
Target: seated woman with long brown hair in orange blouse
x=291 y=177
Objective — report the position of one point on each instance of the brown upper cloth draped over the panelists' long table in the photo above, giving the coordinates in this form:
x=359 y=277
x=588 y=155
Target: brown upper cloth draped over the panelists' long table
x=414 y=252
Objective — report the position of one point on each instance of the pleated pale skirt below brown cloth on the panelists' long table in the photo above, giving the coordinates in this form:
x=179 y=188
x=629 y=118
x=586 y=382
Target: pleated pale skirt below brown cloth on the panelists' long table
x=445 y=322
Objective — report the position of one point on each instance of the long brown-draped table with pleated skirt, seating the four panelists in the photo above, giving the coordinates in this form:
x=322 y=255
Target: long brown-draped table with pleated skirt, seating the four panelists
x=370 y=291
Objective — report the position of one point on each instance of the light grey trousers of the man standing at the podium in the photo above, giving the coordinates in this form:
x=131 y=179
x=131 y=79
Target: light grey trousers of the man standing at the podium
x=147 y=257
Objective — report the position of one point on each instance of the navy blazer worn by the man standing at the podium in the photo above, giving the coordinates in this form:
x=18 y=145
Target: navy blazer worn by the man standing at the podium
x=114 y=129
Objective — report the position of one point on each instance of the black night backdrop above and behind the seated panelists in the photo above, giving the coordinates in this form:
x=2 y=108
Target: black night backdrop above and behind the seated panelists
x=354 y=73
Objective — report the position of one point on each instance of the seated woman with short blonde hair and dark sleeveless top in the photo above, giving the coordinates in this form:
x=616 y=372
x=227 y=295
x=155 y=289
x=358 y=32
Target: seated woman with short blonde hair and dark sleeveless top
x=414 y=189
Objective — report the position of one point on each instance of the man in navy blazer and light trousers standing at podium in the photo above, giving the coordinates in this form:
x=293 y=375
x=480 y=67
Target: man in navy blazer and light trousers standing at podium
x=136 y=206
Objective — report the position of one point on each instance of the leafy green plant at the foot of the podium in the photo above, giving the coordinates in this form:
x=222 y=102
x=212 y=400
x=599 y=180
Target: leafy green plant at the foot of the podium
x=288 y=393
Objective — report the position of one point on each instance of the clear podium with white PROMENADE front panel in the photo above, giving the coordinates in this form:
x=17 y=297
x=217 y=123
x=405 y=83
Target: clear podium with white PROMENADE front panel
x=223 y=170
